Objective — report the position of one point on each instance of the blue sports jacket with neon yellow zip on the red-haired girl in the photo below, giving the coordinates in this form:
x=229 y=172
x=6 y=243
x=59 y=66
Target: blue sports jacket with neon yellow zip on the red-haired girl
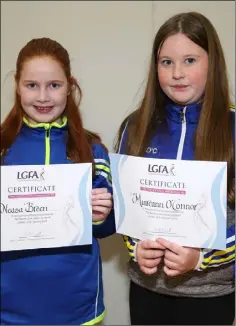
x=58 y=285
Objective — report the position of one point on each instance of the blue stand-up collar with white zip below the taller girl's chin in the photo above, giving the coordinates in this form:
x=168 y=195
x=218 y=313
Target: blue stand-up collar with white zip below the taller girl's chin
x=192 y=112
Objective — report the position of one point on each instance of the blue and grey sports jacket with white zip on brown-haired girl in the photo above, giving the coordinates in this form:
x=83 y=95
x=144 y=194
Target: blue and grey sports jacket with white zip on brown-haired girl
x=214 y=273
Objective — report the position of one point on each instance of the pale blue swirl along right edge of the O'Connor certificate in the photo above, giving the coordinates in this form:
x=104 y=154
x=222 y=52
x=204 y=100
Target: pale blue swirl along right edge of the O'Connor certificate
x=220 y=233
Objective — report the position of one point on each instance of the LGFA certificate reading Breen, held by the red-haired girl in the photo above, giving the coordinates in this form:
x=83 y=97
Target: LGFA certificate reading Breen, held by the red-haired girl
x=45 y=206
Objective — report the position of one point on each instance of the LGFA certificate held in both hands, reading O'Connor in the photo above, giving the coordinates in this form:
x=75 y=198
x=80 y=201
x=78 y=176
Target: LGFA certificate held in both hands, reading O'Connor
x=181 y=201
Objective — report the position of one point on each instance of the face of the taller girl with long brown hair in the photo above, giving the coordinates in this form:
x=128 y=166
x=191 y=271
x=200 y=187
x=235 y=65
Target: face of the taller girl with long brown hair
x=182 y=69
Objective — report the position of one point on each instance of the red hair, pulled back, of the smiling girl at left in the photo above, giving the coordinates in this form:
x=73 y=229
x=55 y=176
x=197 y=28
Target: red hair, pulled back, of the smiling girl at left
x=79 y=140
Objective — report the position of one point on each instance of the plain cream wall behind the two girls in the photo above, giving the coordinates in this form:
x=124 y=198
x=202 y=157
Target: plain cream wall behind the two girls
x=110 y=44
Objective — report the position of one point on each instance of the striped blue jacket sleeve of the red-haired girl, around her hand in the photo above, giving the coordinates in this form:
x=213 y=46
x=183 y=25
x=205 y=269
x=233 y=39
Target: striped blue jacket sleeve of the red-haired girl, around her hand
x=102 y=179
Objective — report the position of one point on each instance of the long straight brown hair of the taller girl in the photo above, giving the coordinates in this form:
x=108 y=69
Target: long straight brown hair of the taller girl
x=214 y=139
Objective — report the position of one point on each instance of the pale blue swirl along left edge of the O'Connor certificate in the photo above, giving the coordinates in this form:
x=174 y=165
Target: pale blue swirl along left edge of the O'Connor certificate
x=116 y=164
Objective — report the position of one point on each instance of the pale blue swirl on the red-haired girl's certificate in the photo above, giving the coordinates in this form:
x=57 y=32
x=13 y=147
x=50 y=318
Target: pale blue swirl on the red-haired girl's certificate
x=86 y=236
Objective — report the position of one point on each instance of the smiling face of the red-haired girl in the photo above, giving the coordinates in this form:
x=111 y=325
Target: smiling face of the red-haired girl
x=43 y=89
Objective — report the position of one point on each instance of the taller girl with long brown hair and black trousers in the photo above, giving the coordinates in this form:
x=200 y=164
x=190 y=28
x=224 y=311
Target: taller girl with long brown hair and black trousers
x=185 y=114
